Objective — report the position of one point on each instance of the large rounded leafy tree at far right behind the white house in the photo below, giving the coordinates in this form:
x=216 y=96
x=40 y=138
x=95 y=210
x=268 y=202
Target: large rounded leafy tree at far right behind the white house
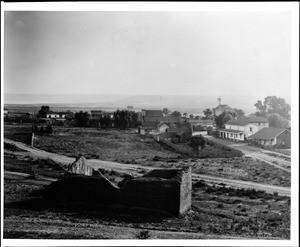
x=272 y=104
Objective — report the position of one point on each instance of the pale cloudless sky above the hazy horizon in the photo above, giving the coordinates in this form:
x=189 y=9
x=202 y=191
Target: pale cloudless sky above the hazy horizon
x=148 y=53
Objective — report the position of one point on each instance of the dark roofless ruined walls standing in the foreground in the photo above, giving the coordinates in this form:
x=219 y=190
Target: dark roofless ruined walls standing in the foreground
x=167 y=190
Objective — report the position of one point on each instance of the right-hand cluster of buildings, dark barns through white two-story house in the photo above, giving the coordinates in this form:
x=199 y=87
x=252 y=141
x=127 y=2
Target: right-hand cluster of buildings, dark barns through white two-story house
x=252 y=129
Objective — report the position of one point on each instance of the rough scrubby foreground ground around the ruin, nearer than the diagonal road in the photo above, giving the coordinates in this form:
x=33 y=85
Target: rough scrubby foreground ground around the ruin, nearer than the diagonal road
x=217 y=212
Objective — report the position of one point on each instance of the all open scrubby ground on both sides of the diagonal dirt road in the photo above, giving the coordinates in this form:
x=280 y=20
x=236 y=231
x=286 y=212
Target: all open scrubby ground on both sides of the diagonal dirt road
x=218 y=211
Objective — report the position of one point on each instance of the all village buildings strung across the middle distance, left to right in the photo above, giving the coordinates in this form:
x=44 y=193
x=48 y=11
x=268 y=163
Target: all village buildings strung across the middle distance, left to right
x=179 y=129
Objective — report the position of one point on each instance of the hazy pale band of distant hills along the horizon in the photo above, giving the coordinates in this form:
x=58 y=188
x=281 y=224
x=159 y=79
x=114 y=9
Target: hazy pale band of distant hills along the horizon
x=190 y=104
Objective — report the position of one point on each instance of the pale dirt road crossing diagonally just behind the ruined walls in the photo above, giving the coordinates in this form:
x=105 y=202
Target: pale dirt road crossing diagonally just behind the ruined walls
x=136 y=170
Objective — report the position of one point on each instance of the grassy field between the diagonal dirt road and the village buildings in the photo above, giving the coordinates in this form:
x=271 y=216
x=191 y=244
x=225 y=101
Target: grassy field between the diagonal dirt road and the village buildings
x=131 y=148
